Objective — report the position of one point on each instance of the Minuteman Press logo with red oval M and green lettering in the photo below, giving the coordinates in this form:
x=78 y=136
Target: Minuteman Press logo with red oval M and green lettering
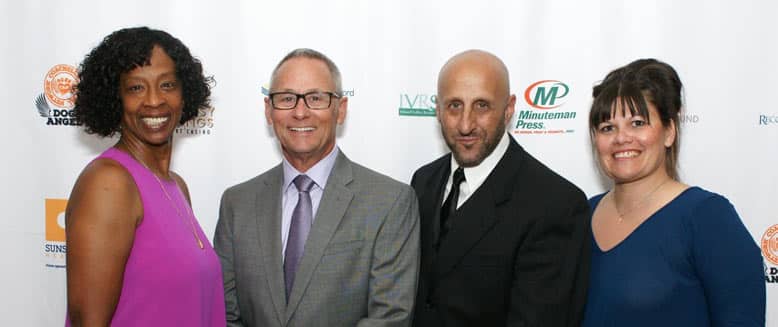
x=543 y=114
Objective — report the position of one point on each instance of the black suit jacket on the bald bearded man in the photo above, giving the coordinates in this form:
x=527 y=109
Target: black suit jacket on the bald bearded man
x=517 y=253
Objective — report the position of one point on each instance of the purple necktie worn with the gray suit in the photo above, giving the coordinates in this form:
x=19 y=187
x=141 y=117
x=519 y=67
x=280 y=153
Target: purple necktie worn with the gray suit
x=302 y=217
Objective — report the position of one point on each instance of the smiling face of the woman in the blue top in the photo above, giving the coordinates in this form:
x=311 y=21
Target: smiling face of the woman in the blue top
x=631 y=149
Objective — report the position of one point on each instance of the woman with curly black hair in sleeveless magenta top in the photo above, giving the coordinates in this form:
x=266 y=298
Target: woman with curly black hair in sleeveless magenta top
x=136 y=254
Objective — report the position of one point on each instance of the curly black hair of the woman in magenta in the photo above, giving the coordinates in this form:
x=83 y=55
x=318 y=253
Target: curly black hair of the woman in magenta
x=98 y=105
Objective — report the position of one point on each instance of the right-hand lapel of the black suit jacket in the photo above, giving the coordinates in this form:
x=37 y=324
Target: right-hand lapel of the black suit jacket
x=479 y=213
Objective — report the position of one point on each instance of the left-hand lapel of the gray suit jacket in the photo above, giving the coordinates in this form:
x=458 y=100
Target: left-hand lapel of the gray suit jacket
x=269 y=222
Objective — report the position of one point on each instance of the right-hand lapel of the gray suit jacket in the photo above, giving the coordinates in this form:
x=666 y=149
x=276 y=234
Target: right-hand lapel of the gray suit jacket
x=332 y=207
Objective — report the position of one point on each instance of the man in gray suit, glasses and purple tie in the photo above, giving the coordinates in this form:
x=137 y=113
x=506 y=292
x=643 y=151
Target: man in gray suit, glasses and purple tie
x=317 y=240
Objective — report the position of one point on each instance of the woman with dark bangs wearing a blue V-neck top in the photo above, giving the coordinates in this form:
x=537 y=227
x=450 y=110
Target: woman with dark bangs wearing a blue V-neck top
x=663 y=253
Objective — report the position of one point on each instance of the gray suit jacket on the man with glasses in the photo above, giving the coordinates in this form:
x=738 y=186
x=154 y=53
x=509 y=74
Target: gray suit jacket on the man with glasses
x=360 y=263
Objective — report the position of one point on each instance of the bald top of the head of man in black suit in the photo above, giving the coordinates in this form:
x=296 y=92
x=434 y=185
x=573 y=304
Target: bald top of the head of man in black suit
x=478 y=62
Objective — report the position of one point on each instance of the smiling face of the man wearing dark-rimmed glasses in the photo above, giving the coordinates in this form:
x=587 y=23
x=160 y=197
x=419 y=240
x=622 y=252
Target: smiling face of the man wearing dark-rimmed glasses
x=306 y=135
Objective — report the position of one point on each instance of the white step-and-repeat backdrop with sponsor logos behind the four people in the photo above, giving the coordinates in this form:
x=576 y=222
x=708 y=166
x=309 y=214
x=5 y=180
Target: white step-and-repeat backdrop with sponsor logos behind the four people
x=389 y=52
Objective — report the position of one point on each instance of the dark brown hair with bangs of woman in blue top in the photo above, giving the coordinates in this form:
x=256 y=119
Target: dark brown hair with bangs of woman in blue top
x=631 y=87
